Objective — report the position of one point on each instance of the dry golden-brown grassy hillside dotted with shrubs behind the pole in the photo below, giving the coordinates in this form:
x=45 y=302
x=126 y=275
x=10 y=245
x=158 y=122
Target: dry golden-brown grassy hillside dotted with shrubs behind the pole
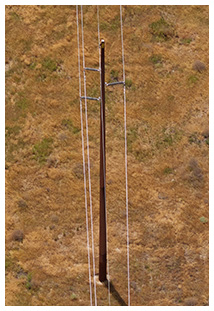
x=167 y=71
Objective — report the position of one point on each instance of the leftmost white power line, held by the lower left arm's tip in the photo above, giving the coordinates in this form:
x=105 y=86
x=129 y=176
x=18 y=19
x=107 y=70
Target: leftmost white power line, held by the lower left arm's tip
x=83 y=159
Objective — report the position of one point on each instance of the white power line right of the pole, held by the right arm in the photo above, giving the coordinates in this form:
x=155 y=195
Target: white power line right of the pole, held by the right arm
x=126 y=164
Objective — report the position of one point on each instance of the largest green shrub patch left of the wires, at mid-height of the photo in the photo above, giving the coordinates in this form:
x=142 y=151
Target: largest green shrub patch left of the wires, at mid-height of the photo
x=42 y=150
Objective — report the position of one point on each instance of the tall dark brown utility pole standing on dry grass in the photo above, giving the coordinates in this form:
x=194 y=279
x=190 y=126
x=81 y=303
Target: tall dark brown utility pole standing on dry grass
x=102 y=242
